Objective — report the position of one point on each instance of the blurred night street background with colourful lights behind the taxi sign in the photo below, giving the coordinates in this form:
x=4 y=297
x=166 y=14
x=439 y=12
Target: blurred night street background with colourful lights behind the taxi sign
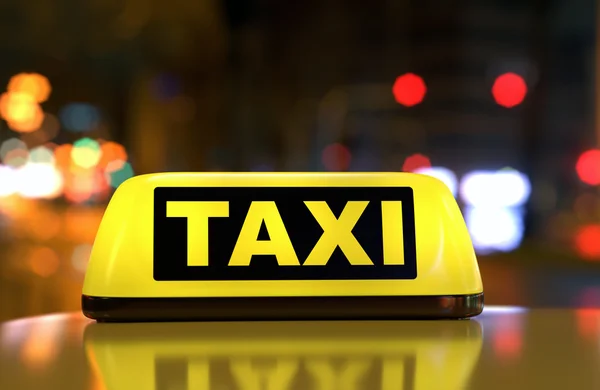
x=499 y=99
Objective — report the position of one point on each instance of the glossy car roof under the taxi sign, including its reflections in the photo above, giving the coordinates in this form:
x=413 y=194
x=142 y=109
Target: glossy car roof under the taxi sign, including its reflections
x=504 y=348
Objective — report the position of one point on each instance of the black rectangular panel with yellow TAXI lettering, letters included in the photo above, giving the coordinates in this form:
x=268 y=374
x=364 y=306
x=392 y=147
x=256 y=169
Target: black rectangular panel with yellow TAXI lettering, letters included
x=284 y=233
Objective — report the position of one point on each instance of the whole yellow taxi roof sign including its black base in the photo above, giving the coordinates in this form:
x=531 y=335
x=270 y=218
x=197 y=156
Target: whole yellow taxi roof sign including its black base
x=179 y=246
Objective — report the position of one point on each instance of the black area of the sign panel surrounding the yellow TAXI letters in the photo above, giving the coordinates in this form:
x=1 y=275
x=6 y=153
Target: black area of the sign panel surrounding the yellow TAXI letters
x=171 y=236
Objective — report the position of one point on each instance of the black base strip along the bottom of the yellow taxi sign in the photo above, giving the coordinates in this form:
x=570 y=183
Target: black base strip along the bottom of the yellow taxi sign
x=281 y=308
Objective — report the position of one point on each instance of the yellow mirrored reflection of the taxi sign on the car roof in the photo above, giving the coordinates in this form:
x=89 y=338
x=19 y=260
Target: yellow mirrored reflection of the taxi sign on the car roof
x=369 y=355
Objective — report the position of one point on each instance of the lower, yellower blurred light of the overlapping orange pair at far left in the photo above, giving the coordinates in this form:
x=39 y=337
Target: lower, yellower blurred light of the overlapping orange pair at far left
x=21 y=112
